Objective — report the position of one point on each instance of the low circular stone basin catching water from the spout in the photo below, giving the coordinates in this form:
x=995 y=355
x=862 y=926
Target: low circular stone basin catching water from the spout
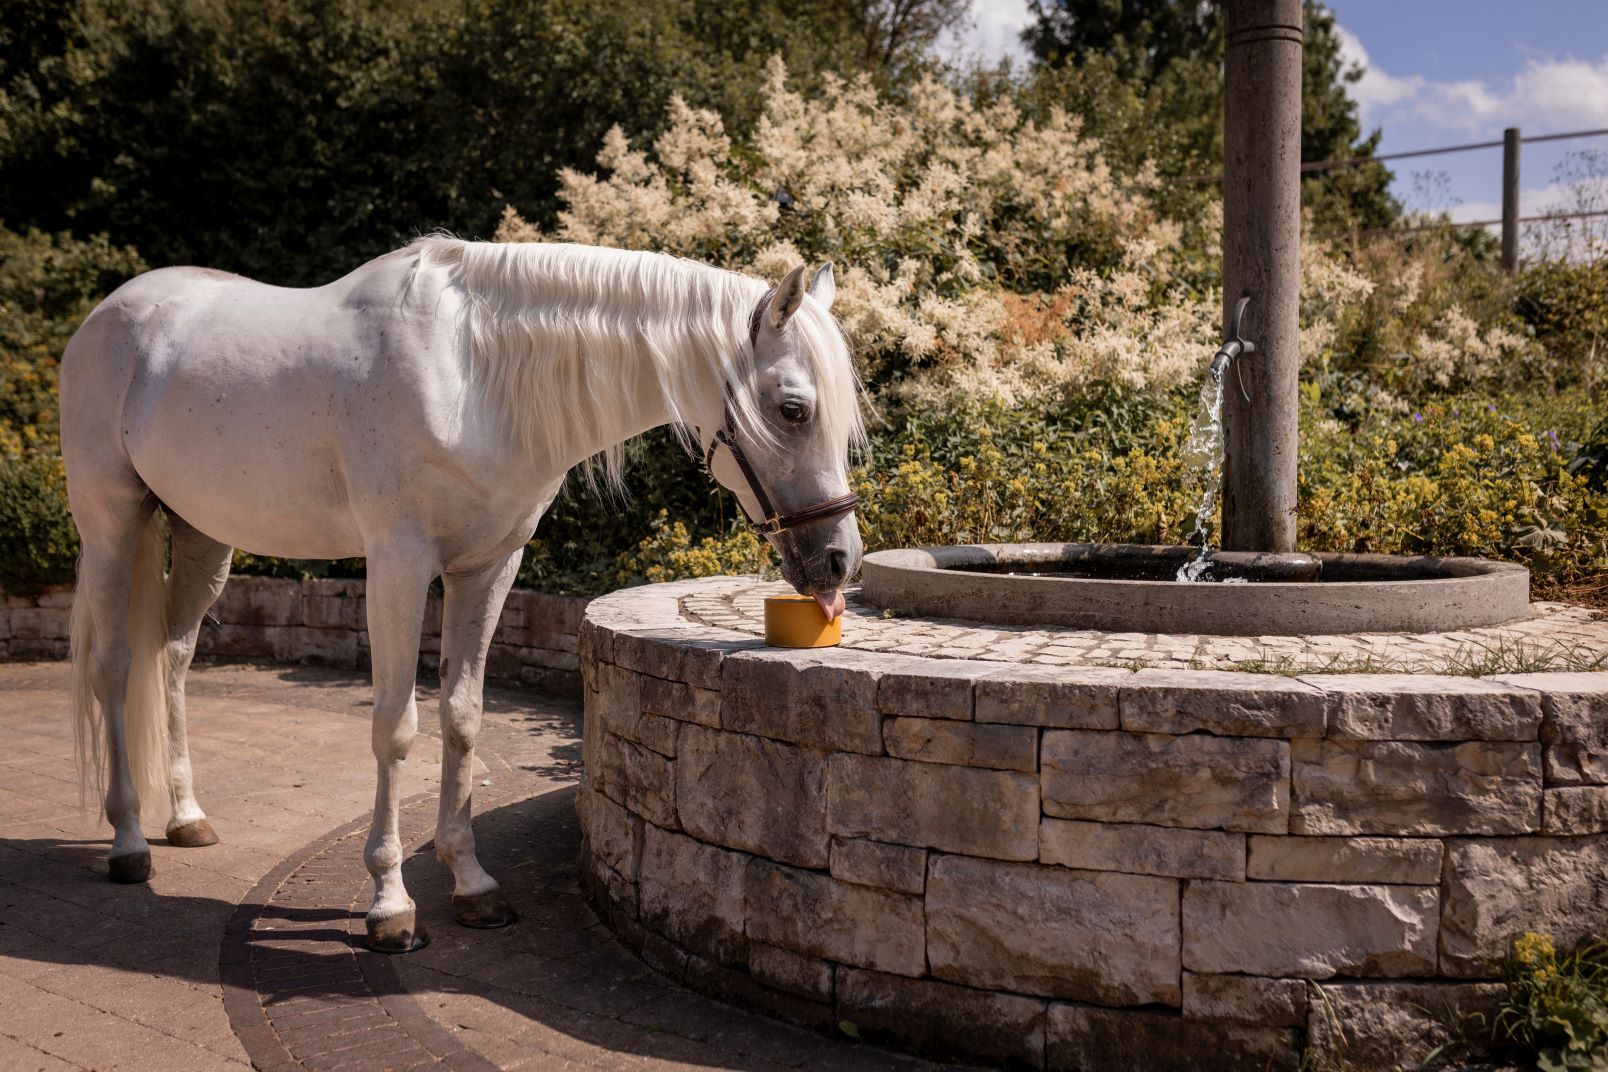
x=1126 y=587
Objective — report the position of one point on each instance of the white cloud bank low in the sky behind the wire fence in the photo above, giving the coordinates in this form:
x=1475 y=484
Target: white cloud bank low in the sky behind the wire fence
x=1546 y=96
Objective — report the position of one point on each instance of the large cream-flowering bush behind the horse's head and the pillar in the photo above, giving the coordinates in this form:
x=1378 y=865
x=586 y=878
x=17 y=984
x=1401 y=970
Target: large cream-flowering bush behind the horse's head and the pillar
x=988 y=255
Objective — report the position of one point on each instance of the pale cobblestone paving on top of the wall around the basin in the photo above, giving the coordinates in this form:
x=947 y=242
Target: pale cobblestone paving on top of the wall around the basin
x=1554 y=631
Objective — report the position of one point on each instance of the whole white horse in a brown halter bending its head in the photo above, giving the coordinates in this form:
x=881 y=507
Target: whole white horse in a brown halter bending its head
x=422 y=414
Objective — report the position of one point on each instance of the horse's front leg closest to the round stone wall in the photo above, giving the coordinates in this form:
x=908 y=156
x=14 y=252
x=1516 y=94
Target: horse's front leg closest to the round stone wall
x=470 y=612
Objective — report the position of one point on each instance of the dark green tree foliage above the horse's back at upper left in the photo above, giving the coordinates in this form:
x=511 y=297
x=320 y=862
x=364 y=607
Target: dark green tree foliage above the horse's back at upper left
x=293 y=141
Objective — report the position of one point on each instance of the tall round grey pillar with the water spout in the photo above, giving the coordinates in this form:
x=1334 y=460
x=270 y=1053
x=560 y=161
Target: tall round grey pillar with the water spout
x=1261 y=256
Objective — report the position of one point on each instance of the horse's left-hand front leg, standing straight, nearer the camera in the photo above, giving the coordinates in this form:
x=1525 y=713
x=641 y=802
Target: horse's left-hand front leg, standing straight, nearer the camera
x=398 y=584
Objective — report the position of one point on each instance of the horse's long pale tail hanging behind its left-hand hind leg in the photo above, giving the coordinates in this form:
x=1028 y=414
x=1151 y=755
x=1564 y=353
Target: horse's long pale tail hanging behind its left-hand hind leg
x=146 y=705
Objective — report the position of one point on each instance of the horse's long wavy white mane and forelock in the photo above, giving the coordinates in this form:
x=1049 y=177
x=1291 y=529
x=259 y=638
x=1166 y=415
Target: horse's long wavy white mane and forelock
x=559 y=335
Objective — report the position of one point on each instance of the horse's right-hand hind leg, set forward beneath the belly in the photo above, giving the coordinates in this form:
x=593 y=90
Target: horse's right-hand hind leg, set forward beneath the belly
x=194 y=584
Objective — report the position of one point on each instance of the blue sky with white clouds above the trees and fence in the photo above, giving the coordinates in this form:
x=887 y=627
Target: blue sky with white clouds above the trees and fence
x=1446 y=73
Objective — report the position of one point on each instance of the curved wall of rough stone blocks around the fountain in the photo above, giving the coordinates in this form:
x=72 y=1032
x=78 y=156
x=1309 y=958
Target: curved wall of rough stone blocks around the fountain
x=1081 y=867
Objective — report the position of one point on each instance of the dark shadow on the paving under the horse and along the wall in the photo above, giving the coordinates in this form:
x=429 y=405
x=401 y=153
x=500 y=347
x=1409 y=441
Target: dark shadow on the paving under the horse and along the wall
x=557 y=967
